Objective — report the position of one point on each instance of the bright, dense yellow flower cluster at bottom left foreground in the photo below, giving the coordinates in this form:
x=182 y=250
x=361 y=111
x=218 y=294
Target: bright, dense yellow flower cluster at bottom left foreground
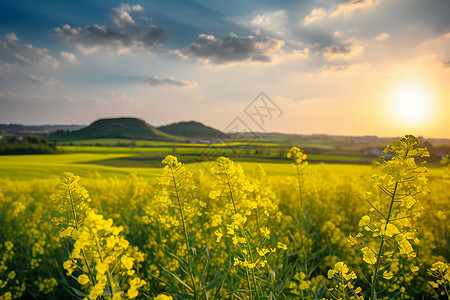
x=101 y=254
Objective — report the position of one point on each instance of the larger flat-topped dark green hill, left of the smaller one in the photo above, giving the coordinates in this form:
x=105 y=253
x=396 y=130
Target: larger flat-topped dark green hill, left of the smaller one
x=128 y=128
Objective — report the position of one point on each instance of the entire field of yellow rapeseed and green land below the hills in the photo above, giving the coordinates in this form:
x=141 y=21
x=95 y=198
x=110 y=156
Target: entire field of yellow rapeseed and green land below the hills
x=264 y=225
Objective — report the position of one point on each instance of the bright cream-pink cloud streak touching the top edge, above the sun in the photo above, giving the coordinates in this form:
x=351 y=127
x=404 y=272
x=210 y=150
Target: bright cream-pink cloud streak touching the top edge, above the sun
x=345 y=9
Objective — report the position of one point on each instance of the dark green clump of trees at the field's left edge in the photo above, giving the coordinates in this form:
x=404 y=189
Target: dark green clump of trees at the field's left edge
x=26 y=145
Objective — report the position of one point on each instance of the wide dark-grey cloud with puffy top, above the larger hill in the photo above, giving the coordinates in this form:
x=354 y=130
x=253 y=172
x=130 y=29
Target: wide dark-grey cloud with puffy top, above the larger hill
x=91 y=38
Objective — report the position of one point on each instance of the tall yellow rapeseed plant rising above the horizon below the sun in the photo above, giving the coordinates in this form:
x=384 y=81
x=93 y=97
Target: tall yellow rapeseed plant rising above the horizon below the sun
x=389 y=232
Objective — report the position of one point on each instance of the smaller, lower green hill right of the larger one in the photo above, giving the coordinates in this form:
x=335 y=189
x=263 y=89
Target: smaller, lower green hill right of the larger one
x=191 y=130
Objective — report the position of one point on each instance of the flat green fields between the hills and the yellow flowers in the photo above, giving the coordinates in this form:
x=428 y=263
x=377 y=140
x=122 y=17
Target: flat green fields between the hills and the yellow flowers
x=121 y=157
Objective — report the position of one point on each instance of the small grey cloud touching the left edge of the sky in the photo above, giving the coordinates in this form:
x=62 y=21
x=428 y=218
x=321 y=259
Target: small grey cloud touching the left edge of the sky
x=26 y=54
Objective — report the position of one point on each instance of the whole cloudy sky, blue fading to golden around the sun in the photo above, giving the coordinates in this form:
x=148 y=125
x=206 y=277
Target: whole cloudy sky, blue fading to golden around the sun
x=341 y=67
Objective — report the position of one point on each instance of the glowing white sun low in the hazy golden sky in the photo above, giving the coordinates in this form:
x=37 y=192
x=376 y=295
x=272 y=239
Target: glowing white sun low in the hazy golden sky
x=411 y=104
